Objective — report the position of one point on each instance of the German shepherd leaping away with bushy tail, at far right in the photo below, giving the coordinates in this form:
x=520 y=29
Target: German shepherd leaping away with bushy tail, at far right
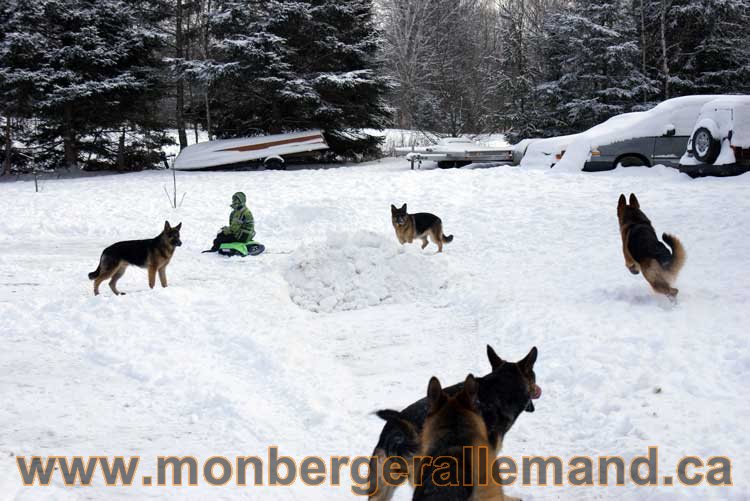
x=644 y=252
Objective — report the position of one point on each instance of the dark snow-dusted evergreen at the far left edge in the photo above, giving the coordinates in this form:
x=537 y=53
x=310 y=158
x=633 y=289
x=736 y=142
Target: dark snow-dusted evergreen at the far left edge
x=88 y=69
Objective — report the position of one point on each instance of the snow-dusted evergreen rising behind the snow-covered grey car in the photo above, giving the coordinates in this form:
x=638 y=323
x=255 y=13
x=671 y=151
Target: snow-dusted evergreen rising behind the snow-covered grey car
x=593 y=70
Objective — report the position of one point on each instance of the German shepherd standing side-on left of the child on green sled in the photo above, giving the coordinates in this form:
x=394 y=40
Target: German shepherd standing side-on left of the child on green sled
x=153 y=254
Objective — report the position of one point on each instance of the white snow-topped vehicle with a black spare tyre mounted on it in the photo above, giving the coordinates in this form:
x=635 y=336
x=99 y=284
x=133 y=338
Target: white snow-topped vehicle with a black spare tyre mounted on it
x=720 y=141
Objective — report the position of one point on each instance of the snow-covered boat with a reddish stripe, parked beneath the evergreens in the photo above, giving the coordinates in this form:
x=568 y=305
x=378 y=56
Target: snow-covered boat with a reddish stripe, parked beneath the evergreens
x=270 y=151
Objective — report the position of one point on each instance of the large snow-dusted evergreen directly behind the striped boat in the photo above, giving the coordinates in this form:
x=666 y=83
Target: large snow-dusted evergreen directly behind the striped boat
x=284 y=65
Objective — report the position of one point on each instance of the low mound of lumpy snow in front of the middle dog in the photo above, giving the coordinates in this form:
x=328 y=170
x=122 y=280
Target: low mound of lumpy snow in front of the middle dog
x=352 y=271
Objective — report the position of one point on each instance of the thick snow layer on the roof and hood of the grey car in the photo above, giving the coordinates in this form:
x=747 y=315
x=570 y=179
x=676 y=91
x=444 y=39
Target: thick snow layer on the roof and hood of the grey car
x=680 y=113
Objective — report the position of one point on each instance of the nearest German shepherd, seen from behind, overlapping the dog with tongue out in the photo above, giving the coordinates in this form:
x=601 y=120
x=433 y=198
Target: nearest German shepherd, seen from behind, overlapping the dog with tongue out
x=454 y=426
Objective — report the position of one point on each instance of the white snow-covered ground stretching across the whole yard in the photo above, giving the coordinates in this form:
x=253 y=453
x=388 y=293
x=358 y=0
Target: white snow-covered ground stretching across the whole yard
x=298 y=346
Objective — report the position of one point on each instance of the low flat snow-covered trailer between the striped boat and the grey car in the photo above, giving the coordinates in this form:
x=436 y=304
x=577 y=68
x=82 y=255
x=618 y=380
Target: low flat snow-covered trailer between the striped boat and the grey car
x=458 y=151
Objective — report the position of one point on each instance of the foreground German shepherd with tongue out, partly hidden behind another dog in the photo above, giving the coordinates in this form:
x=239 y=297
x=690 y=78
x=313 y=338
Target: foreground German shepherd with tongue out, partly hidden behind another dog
x=503 y=395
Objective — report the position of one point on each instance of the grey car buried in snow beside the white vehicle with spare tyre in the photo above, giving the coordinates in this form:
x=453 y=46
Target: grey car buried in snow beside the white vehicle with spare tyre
x=644 y=138
